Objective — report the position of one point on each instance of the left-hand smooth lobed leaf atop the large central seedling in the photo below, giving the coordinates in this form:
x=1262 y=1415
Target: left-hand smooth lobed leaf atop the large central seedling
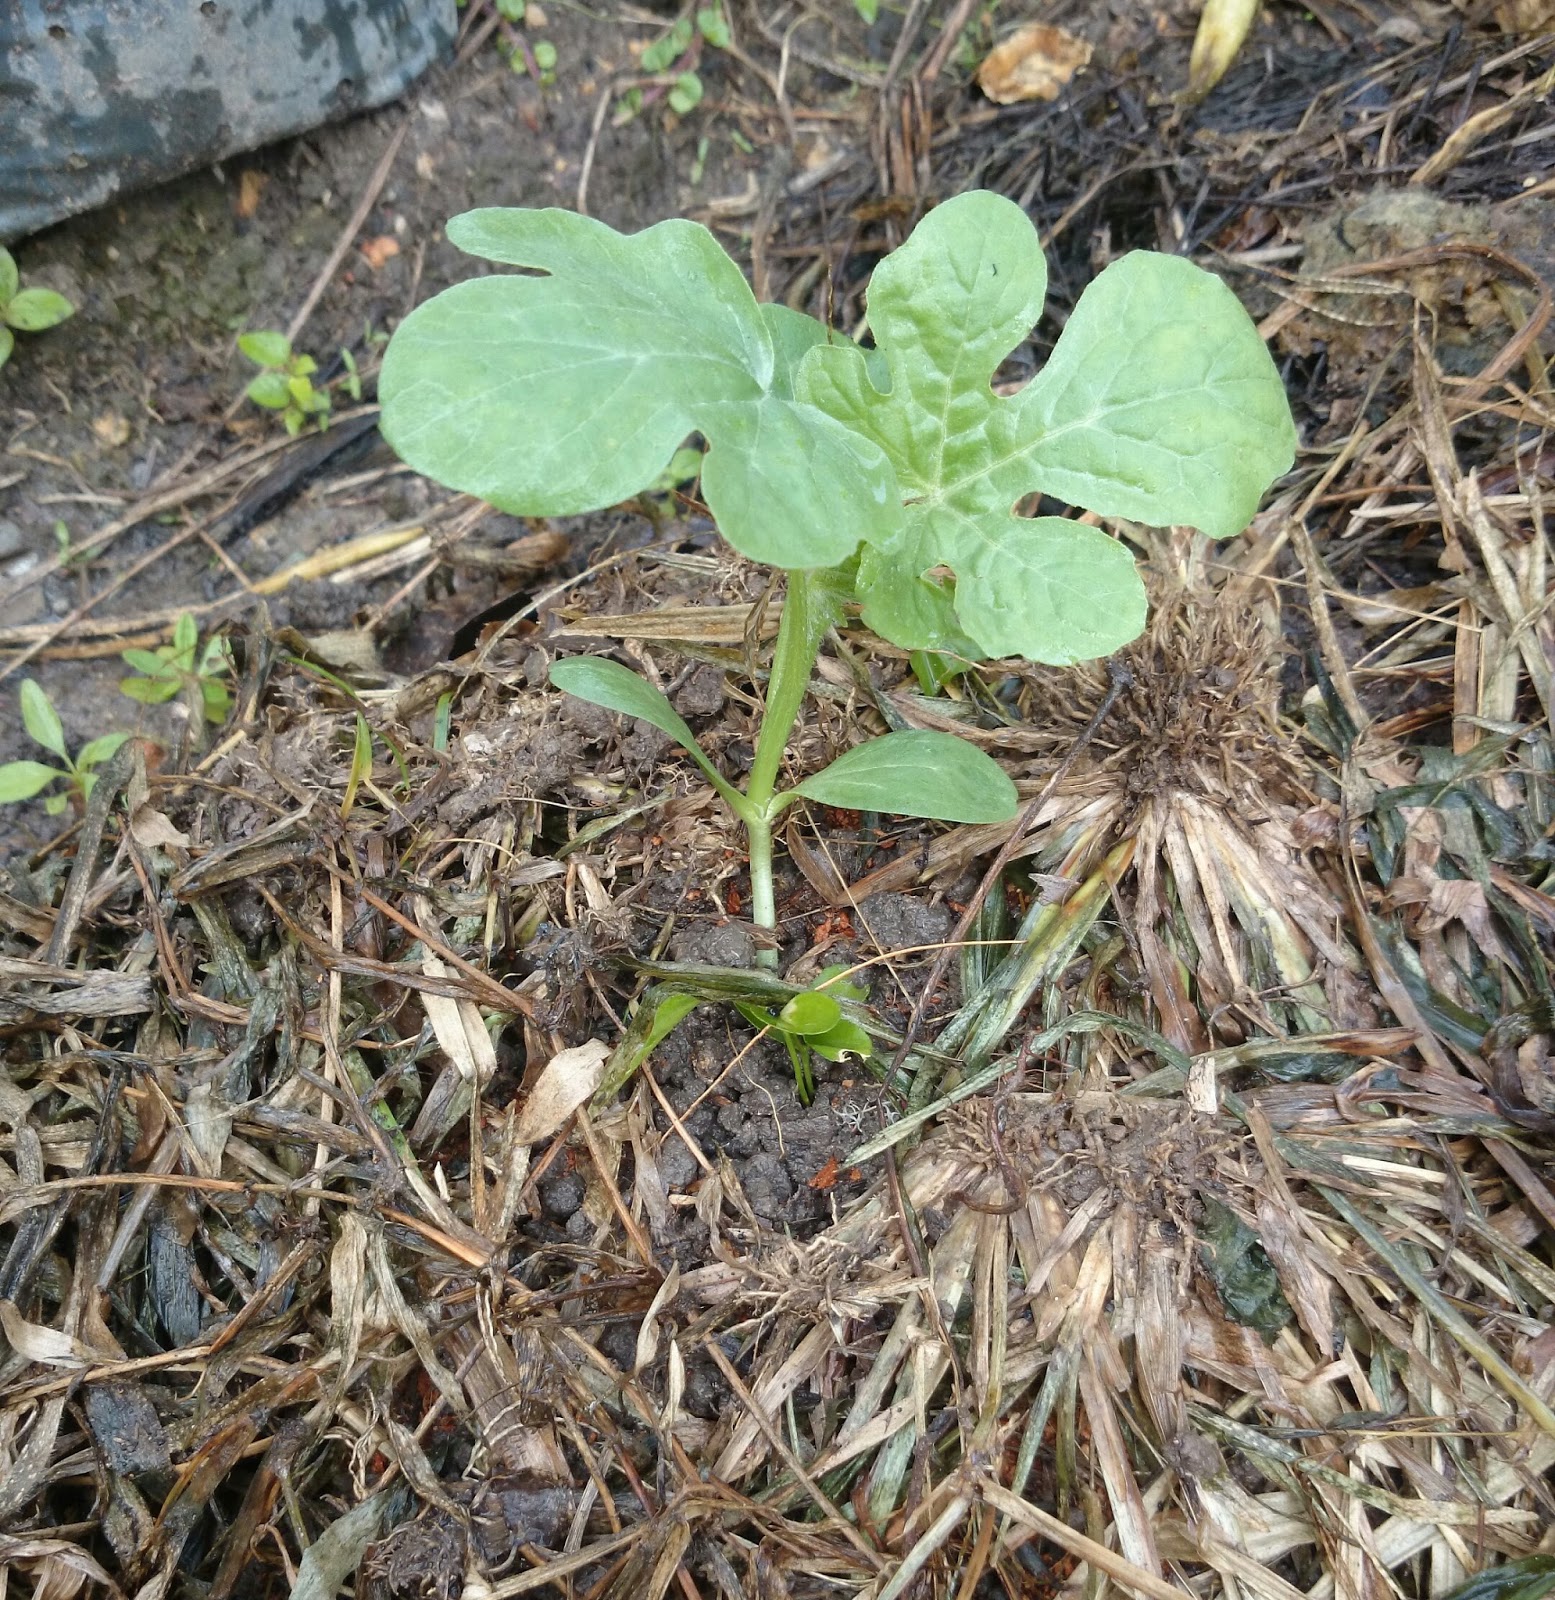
x=567 y=393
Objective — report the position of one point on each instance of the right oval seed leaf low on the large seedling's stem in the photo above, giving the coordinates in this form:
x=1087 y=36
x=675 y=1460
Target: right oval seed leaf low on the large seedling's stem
x=933 y=775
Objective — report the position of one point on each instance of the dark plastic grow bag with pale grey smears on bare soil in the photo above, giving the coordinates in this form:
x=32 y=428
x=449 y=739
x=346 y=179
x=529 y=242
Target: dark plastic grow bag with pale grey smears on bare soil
x=103 y=97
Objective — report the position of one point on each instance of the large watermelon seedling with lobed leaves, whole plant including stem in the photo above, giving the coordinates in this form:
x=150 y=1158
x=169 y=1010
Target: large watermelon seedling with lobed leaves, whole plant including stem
x=887 y=478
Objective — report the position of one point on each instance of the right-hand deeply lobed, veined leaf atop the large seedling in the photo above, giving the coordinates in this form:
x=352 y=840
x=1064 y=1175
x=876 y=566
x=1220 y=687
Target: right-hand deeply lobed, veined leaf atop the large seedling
x=1161 y=404
